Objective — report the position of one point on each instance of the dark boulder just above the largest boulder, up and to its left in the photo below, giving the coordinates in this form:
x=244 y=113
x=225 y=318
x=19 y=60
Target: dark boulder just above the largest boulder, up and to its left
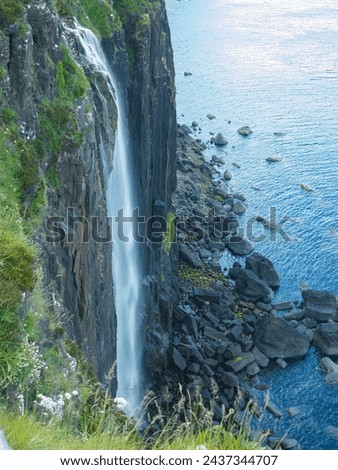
x=249 y=287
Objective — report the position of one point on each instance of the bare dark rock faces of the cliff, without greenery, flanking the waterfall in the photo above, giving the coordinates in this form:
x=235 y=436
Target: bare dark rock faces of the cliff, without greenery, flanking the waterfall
x=78 y=272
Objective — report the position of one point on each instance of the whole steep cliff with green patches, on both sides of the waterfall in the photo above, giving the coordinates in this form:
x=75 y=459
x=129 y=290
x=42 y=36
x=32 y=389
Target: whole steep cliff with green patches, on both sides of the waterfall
x=54 y=103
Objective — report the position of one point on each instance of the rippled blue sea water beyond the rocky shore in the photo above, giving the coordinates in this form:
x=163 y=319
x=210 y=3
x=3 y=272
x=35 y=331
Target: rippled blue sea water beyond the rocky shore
x=273 y=65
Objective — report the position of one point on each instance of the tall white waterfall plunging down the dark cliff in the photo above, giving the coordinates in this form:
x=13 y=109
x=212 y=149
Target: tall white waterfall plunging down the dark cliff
x=120 y=195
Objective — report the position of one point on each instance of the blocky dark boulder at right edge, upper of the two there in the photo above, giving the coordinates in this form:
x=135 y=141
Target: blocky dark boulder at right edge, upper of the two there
x=320 y=305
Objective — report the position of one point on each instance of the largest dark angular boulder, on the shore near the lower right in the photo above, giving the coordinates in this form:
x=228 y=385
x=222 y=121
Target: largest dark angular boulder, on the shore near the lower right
x=276 y=338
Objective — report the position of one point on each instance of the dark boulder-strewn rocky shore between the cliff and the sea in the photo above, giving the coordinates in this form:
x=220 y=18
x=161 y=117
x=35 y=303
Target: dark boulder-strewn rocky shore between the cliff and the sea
x=226 y=326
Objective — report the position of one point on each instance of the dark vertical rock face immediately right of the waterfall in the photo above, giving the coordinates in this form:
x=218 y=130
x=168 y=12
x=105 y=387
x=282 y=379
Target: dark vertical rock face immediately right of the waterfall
x=153 y=125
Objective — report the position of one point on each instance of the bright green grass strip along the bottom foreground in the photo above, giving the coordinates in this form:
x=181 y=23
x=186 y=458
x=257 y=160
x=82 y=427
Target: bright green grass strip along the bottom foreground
x=191 y=425
